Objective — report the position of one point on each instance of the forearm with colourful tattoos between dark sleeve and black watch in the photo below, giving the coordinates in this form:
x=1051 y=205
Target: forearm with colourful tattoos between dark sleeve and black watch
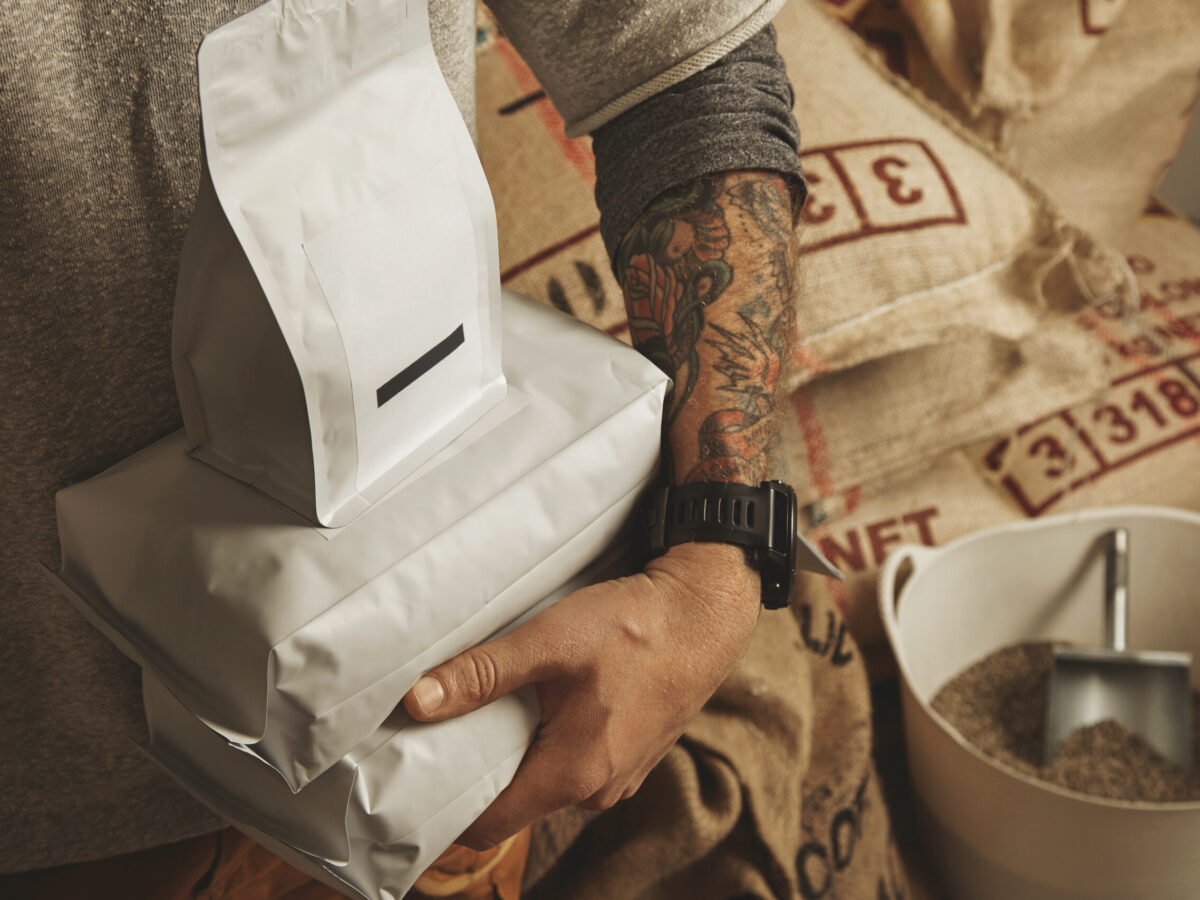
x=707 y=281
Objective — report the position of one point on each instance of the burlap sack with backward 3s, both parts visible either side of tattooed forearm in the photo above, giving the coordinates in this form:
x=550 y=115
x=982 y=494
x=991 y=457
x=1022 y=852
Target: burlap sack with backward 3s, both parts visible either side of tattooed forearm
x=933 y=279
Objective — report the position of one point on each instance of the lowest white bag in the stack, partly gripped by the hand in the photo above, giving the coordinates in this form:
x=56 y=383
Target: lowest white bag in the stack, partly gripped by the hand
x=386 y=812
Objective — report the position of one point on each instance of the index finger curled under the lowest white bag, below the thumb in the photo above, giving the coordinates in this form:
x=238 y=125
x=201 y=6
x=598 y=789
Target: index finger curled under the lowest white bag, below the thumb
x=544 y=784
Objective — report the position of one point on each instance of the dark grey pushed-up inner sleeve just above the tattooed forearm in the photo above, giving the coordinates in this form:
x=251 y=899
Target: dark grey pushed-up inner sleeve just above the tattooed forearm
x=736 y=115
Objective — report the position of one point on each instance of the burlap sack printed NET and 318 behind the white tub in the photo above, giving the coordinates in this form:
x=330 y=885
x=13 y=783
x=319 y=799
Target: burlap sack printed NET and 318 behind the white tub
x=1138 y=441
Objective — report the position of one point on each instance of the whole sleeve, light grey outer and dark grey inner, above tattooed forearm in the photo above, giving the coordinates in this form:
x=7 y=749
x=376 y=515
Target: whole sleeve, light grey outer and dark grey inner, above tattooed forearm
x=670 y=92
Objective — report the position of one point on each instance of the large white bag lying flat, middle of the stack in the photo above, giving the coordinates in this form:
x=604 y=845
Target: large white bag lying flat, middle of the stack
x=296 y=643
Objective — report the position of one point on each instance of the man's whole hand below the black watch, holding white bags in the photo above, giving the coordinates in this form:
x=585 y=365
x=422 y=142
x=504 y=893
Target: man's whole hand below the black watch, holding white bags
x=621 y=669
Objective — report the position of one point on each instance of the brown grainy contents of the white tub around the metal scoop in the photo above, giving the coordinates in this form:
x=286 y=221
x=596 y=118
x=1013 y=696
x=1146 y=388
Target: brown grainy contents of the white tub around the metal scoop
x=999 y=706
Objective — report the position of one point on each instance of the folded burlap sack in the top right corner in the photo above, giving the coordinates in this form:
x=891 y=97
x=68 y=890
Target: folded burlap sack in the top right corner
x=1089 y=98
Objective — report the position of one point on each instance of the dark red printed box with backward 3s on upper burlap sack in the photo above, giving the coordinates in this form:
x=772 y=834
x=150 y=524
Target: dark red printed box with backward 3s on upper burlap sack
x=872 y=188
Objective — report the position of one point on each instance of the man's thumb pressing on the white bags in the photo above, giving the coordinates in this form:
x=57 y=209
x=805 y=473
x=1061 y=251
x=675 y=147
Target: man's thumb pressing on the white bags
x=477 y=677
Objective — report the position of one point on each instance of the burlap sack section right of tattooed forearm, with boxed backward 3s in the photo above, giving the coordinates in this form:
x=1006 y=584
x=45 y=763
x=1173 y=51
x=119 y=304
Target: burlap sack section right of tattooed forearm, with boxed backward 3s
x=934 y=280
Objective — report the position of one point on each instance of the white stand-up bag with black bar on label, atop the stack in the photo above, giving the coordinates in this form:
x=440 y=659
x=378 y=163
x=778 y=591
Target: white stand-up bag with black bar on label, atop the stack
x=338 y=311
